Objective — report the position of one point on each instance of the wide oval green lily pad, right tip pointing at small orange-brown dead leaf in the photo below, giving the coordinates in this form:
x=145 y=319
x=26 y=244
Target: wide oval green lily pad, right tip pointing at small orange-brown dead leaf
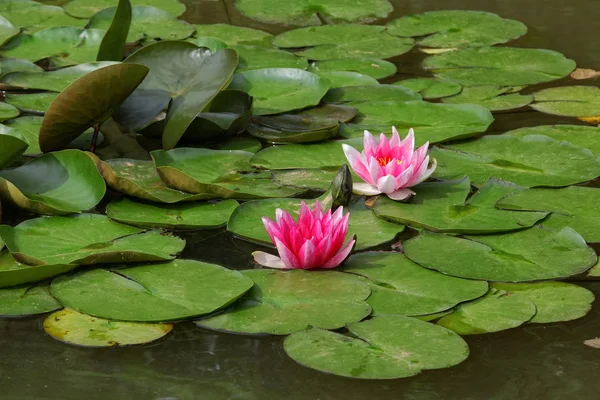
x=501 y=66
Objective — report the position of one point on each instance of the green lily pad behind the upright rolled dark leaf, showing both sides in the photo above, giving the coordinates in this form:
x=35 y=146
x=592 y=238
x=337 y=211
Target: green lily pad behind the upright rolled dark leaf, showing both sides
x=146 y=22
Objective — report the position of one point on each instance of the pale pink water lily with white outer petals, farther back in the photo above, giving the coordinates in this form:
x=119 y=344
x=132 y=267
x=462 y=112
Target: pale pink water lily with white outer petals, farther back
x=390 y=166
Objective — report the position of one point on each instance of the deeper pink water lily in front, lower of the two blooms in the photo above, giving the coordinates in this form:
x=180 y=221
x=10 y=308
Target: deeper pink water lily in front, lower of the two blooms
x=315 y=241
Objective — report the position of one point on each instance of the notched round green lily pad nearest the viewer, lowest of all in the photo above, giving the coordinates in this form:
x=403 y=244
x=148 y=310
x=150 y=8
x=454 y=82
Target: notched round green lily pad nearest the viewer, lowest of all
x=387 y=347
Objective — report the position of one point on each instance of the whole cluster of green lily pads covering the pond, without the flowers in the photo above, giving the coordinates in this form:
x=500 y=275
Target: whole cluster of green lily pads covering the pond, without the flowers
x=123 y=127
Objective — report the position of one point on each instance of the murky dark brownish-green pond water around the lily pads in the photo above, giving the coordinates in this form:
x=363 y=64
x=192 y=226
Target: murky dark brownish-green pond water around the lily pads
x=536 y=361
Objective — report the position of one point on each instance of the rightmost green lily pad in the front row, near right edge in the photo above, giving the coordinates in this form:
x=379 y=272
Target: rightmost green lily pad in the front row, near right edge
x=554 y=301
